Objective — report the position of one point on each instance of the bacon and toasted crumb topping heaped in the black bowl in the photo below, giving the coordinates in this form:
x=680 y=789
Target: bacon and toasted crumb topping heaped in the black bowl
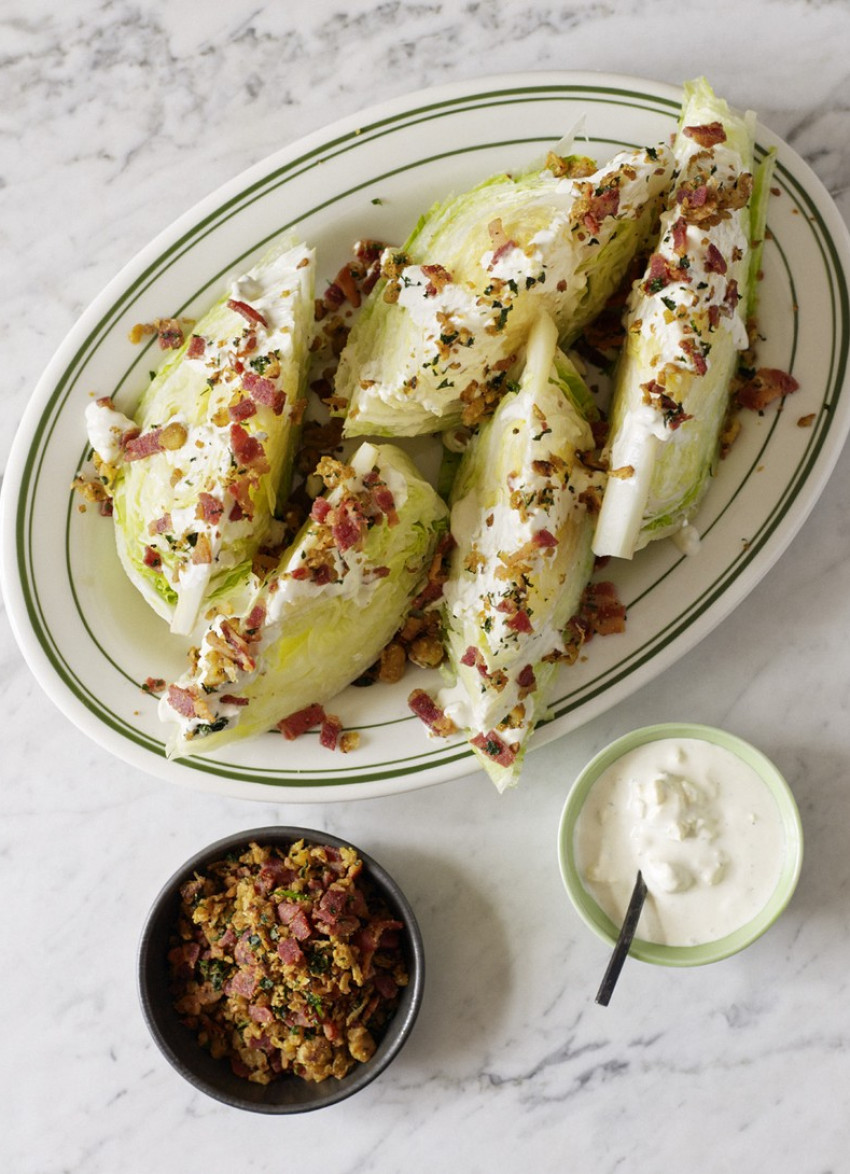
x=287 y=963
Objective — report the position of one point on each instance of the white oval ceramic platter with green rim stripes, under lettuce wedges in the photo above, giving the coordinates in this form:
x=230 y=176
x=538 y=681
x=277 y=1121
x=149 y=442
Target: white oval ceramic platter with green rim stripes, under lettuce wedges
x=91 y=640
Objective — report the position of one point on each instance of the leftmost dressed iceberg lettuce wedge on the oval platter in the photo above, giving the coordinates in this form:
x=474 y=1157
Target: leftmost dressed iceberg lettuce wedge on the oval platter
x=198 y=475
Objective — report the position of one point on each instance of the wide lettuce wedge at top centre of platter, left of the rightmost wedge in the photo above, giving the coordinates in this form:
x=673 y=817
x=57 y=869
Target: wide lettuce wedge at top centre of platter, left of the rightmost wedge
x=446 y=328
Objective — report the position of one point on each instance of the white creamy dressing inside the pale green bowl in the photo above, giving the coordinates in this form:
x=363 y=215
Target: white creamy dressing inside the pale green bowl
x=700 y=825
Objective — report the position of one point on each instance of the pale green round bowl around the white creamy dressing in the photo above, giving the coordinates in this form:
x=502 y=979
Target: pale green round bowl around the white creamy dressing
x=711 y=952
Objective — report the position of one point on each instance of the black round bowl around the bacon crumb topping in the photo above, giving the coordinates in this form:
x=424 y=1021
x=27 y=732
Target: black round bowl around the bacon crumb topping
x=179 y=1045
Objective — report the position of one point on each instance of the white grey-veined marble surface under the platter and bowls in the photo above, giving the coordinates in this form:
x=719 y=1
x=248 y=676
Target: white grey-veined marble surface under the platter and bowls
x=116 y=118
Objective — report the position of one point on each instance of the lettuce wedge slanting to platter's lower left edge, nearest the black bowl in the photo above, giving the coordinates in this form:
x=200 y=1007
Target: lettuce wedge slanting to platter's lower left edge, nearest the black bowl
x=323 y=617
